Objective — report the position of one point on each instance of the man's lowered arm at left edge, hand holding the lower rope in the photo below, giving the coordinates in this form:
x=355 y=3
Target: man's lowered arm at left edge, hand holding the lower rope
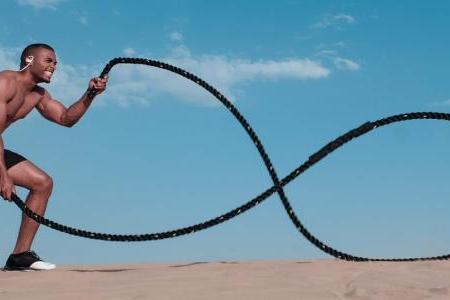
x=6 y=184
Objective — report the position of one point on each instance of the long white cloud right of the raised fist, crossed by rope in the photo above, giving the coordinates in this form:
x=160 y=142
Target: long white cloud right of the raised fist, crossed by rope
x=140 y=83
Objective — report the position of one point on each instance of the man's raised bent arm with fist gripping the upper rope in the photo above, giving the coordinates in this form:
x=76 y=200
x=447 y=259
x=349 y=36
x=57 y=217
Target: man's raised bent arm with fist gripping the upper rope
x=55 y=111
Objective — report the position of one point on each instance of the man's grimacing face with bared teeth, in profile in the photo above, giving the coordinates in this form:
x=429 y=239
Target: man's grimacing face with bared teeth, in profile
x=43 y=65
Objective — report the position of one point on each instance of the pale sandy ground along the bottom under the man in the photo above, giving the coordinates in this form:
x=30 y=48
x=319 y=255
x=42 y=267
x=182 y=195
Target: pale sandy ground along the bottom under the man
x=325 y=279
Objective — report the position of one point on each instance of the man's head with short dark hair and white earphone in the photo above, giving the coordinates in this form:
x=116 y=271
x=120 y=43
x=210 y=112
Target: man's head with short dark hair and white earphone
x=41 y=61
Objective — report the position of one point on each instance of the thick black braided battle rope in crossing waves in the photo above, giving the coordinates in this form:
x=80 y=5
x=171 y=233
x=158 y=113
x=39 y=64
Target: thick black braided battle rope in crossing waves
x=278 y=184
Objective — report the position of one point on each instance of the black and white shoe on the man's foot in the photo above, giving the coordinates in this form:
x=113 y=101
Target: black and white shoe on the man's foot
x=27 y=260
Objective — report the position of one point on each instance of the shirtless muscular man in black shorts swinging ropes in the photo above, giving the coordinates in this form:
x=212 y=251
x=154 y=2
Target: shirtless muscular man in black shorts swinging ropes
x=19 y=94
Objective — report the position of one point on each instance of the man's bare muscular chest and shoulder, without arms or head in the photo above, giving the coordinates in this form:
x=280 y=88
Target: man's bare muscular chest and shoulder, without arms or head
x=21 y=102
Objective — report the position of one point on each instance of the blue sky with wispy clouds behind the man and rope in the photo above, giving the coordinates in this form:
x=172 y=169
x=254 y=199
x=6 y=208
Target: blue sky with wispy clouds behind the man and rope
x=156 y=152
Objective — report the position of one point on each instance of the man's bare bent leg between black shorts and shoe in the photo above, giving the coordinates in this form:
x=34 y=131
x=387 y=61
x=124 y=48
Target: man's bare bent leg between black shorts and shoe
x=27 y=175
